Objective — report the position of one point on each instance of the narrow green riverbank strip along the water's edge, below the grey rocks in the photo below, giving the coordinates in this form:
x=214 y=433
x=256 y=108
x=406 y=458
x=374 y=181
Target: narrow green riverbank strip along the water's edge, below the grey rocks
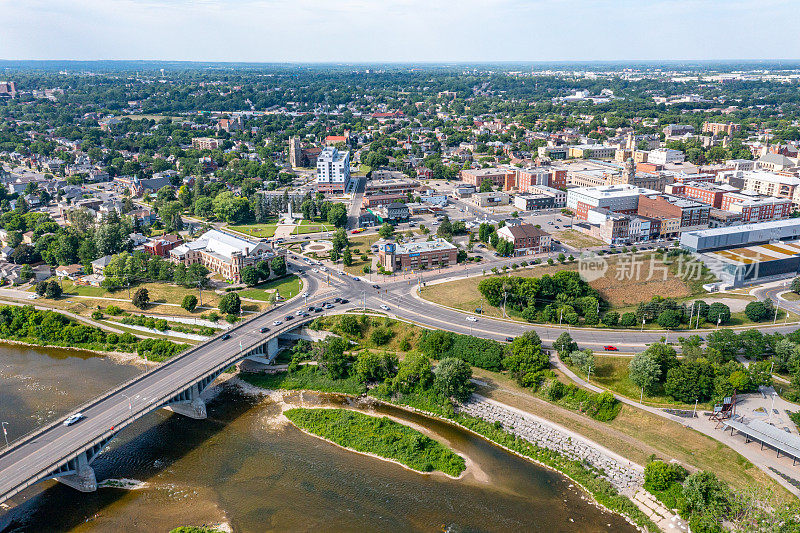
x=592 y=481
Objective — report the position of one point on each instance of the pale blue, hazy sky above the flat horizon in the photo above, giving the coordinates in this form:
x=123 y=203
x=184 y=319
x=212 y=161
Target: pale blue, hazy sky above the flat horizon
x=399 y=30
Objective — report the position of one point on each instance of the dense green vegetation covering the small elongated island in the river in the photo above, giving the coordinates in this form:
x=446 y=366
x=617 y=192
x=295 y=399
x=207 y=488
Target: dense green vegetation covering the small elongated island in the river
x=380 y=436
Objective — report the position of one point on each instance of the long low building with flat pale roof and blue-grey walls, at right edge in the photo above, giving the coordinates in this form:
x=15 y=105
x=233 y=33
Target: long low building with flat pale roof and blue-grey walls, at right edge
x=743 y=235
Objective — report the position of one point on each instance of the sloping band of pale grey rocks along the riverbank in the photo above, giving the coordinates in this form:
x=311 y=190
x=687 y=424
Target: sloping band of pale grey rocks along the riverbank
x=626 y=476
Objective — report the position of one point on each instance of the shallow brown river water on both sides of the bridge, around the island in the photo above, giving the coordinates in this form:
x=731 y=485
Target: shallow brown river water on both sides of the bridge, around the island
x=247 y=467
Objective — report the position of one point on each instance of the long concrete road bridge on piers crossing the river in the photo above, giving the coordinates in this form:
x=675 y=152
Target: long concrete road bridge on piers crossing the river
x=66 y=452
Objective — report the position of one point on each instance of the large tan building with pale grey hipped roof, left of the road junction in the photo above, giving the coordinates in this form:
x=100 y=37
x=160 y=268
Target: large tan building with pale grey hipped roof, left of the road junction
x=222 y=253
